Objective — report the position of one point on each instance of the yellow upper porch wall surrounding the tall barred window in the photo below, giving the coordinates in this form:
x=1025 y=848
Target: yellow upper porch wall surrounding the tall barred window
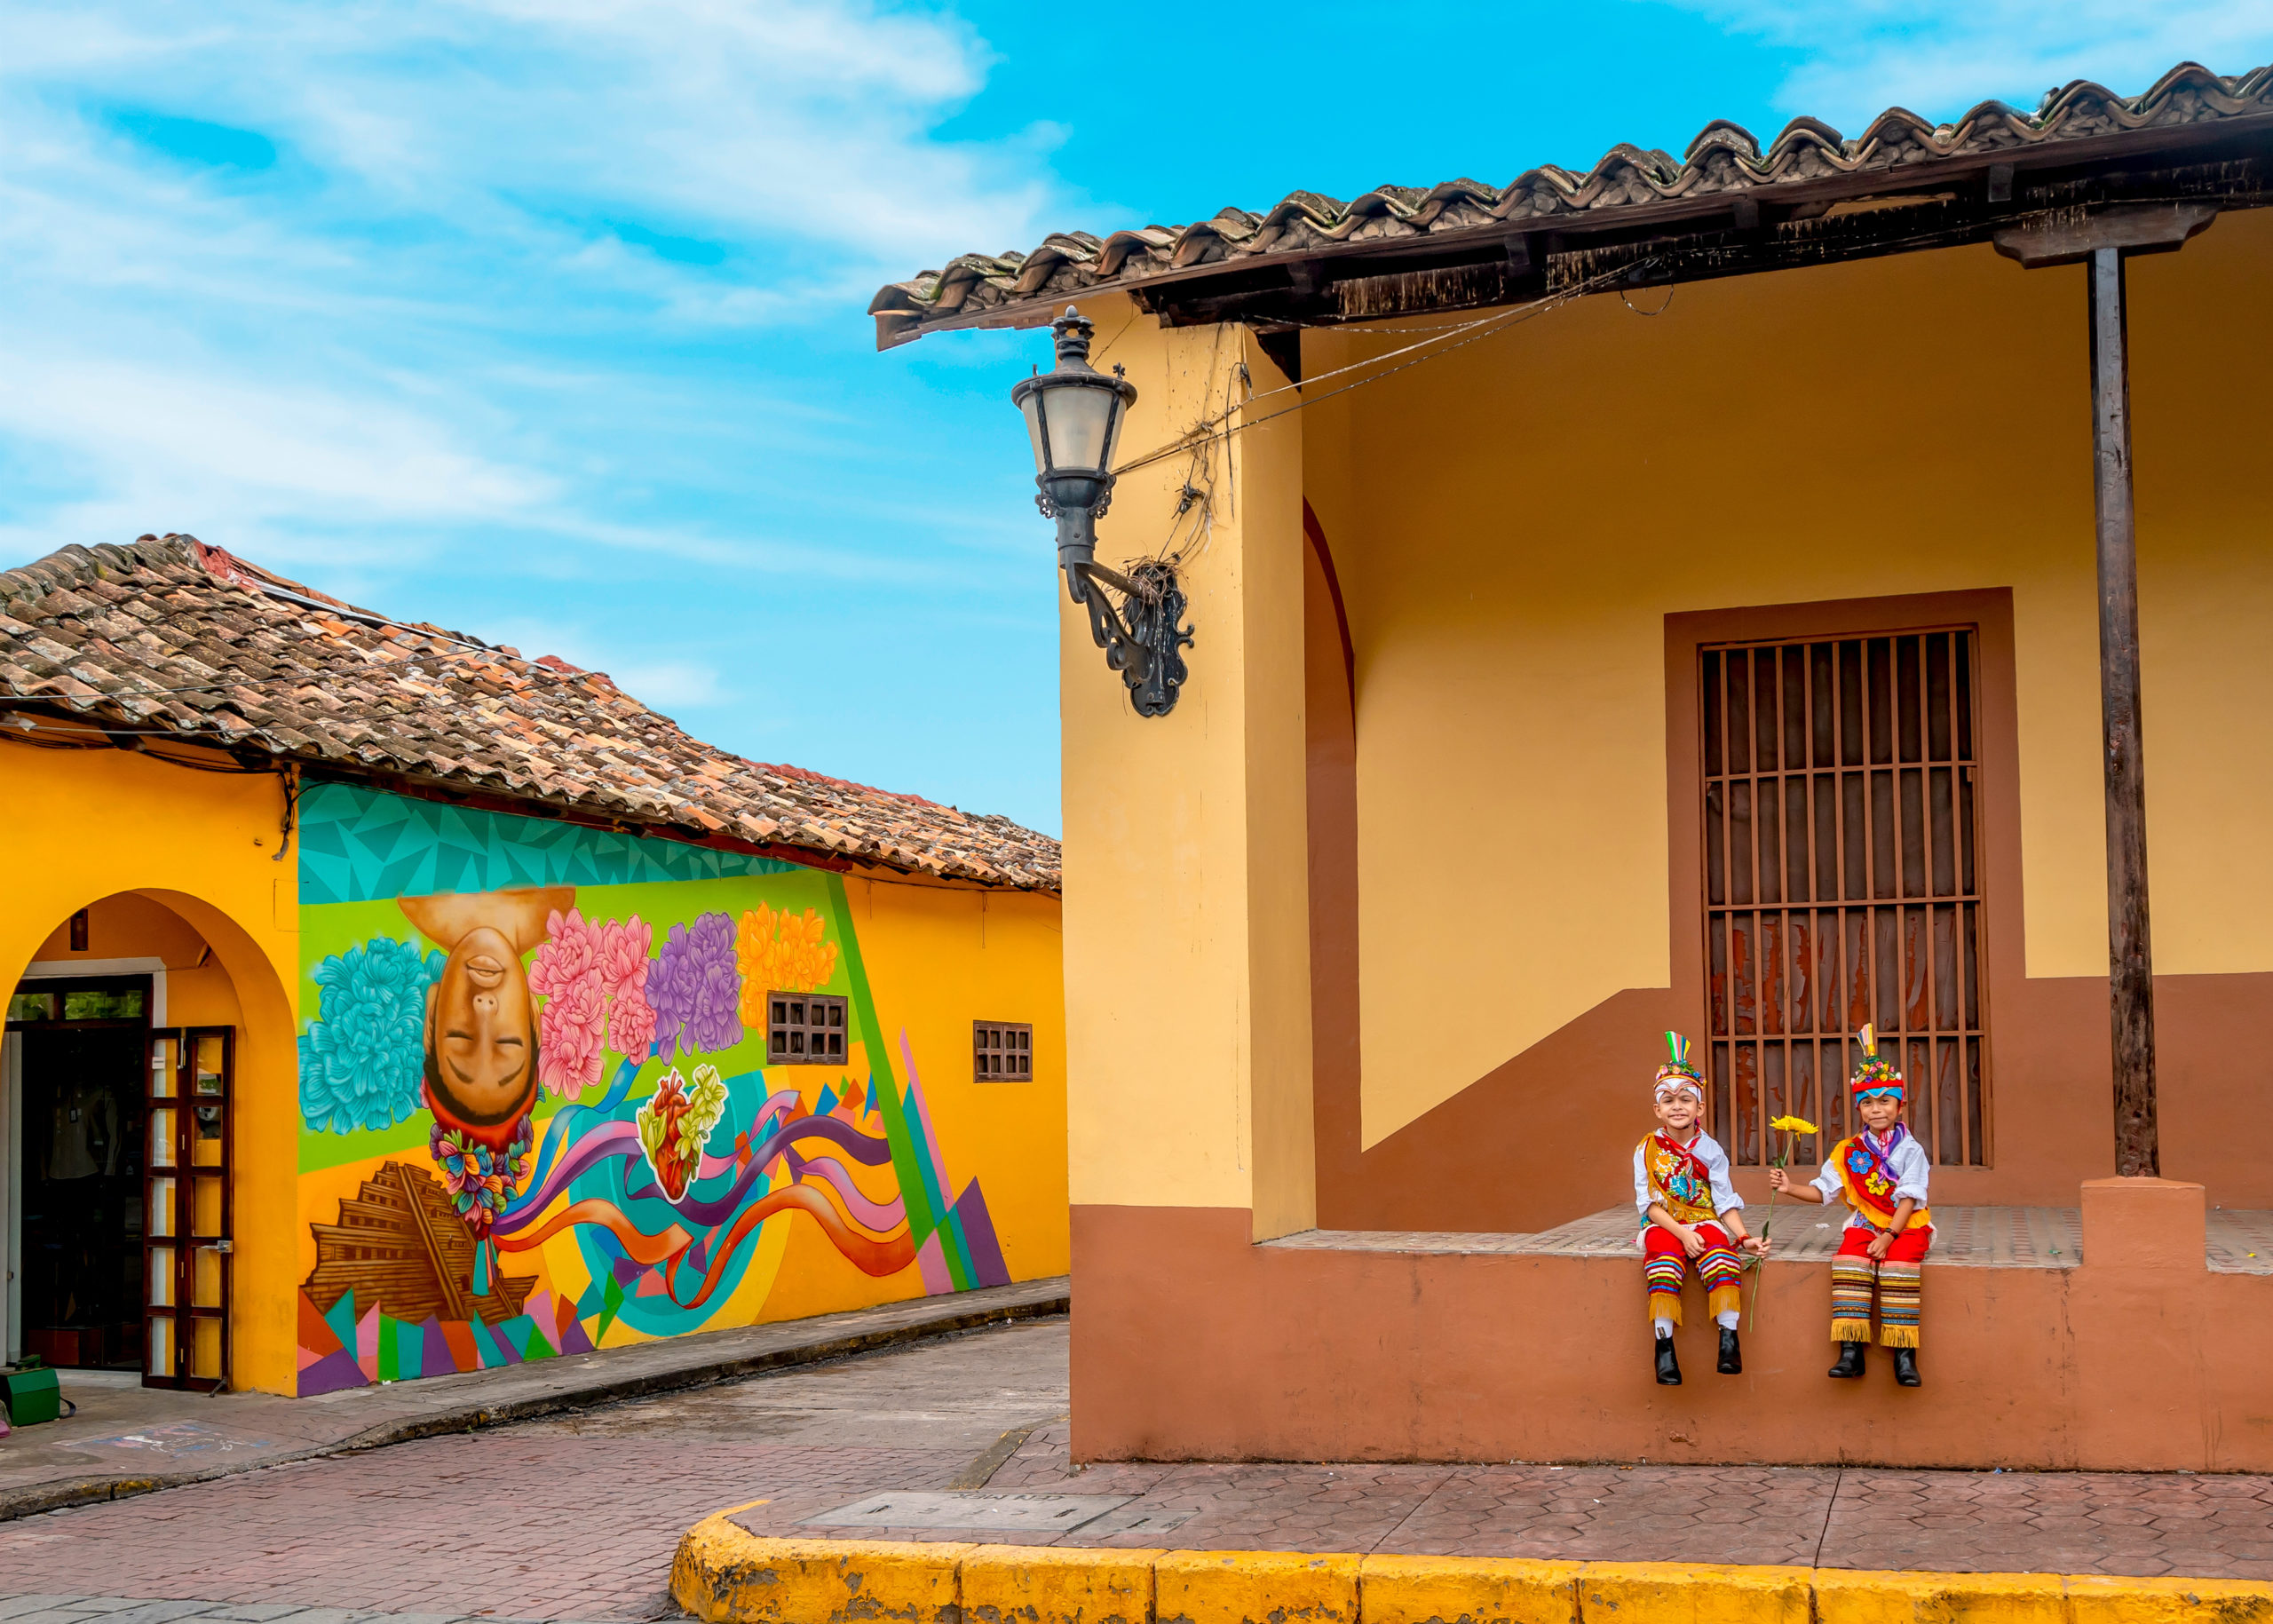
x=1515 y=522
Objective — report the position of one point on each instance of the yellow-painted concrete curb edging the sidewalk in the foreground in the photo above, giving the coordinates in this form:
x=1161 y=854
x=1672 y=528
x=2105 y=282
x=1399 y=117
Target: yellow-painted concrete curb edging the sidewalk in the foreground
x=726 y=1575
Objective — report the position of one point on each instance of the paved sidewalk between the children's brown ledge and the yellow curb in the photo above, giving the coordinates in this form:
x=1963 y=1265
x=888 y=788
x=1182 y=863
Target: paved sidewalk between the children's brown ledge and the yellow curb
x=2076 y=1523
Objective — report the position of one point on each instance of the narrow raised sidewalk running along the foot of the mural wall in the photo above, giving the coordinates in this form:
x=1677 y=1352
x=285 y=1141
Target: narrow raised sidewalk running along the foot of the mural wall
x=131 y=1441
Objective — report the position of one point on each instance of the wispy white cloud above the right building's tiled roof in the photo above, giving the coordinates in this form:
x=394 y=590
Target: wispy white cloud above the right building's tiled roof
x=1940 y=58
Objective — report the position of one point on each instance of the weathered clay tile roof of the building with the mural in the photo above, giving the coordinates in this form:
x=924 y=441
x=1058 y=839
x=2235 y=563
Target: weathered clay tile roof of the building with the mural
x=181 y=640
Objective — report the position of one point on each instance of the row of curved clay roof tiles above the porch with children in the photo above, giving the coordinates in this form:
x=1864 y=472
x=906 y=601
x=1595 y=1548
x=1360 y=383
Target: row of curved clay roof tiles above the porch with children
x=1722 y=160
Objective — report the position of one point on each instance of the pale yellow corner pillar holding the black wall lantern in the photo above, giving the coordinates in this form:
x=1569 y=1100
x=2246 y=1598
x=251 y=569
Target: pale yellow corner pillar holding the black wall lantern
x=1188 y=952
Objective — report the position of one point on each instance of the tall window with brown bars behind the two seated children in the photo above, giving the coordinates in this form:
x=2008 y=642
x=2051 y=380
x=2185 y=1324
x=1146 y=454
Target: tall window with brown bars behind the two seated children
x=1845 y=886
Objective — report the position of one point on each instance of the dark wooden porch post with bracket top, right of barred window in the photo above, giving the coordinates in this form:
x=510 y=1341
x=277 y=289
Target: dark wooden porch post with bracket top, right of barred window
x=2101 y=242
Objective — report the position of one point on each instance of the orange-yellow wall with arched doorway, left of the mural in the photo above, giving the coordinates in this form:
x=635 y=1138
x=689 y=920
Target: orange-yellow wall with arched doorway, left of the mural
x=169 y=863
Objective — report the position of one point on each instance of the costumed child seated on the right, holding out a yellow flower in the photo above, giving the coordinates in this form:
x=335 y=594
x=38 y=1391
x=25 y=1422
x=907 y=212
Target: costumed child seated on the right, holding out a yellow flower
x=1881 y=1175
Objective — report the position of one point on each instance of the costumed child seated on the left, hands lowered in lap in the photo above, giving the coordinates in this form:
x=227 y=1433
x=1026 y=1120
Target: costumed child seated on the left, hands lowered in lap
x=1690 y=1213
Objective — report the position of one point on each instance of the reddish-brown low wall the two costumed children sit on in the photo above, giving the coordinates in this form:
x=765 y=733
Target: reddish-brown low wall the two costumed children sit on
x=1190 y=1343
